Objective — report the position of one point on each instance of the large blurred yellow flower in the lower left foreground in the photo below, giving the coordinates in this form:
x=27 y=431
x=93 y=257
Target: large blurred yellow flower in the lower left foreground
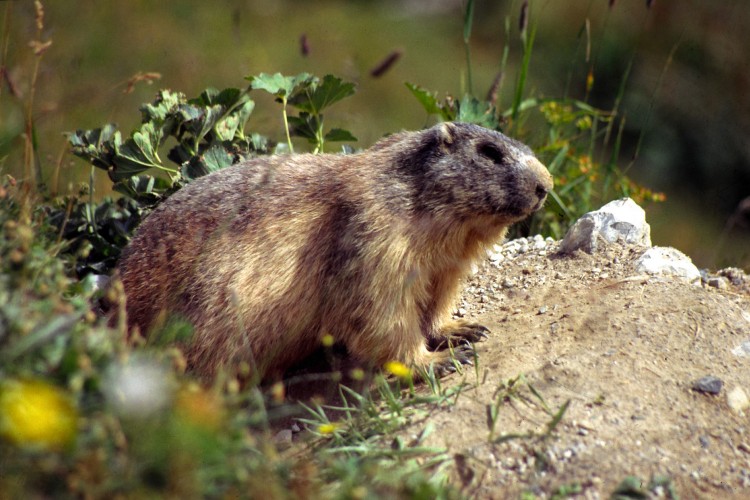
x=36 y=414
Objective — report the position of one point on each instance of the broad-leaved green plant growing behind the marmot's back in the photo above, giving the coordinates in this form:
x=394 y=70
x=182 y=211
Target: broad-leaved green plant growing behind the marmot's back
x=201 y=135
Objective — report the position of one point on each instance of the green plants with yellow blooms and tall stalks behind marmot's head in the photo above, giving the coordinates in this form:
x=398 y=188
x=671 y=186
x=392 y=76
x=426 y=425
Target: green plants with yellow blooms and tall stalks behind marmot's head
x=569 y=135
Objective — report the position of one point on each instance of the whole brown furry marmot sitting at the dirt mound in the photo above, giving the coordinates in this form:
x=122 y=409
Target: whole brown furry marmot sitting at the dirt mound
x=268 y=256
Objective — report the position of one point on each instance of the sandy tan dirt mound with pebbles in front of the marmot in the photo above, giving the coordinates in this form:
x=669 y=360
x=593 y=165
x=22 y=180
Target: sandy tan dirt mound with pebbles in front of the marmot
x=623 y=351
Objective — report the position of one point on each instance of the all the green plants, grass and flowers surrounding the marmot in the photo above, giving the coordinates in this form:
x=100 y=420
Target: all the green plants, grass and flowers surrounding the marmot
x=85 y=412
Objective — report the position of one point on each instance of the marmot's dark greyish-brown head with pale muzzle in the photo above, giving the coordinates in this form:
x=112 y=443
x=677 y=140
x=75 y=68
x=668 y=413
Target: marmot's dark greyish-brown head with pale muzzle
x=468 y=170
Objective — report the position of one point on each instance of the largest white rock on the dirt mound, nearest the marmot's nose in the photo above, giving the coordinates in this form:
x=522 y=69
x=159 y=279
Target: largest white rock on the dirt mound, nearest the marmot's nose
x=620 y=220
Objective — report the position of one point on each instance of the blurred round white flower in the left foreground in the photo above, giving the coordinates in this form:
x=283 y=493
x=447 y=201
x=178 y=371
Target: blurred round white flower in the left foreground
x=139 y=388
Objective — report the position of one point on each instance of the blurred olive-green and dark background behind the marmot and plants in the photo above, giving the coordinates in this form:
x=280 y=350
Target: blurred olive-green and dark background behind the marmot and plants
x=686 y=100
